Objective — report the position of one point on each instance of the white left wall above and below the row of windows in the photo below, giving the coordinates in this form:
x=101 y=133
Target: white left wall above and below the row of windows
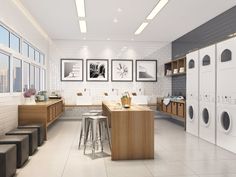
x=13 y=18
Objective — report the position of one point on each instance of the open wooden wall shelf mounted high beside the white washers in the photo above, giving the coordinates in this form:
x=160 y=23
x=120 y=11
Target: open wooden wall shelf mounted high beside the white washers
x=173 y=67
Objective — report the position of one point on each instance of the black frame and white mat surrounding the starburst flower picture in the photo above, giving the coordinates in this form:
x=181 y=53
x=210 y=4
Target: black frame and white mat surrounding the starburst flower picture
x=113 y=65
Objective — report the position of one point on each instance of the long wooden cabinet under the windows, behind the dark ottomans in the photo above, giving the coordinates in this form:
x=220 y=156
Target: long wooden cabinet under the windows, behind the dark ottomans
x=43 y=112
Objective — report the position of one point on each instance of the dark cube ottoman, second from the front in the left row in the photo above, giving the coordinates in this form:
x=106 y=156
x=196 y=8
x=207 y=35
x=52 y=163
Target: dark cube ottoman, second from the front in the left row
x=22 y=147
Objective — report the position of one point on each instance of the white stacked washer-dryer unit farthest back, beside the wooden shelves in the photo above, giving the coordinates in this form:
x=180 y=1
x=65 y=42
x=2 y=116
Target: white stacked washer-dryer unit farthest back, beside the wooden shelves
x=192 y=82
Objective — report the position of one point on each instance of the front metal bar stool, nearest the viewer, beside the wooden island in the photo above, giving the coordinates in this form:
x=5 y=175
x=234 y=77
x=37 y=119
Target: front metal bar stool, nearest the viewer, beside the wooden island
x=96 y=124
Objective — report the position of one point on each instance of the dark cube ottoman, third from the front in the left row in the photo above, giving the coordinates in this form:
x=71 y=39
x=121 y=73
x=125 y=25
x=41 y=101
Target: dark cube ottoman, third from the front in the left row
x=33 y=137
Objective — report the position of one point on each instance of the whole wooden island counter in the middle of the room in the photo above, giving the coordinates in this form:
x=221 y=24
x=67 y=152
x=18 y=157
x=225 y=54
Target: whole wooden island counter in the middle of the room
x=132 y=131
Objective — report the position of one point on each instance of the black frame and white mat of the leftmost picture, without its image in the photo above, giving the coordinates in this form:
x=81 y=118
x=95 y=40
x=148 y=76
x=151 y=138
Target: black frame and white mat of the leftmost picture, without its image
x=62 y=71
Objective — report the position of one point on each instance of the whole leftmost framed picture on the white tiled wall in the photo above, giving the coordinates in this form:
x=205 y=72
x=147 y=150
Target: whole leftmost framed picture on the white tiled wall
x=72 y=69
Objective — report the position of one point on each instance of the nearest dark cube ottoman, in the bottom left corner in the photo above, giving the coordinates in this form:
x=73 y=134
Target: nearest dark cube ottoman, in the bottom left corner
x=7 y=160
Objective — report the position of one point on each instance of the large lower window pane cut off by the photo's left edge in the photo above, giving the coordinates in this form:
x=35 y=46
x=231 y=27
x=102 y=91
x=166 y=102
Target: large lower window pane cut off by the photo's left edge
x=4 y=73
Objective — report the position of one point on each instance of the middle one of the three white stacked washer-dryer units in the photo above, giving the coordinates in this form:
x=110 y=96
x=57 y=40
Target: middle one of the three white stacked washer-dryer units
x=207 y=91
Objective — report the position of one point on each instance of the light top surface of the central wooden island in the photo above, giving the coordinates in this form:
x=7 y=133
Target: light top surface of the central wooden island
x=117 y=107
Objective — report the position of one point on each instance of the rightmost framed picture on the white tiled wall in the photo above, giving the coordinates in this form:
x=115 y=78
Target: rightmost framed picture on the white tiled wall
x=146 y=70
